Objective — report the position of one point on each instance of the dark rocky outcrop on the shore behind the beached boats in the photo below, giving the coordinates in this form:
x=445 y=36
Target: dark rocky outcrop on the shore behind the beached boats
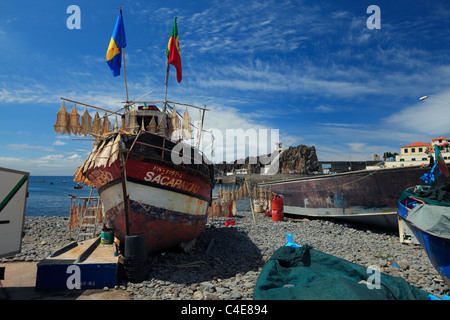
x=300 y=159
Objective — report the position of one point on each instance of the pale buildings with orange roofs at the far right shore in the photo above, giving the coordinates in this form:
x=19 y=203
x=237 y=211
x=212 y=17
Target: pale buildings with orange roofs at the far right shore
x=418 y=153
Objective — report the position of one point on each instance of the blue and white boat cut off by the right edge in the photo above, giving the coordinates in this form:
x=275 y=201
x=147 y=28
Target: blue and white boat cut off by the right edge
x=429 y=220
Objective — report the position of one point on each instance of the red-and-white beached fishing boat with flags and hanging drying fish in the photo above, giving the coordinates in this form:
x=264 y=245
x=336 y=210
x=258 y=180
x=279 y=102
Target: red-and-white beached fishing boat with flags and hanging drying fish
x=152 y=181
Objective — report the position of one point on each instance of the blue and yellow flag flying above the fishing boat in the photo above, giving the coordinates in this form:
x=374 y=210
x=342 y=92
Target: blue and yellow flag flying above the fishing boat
x=118 y=41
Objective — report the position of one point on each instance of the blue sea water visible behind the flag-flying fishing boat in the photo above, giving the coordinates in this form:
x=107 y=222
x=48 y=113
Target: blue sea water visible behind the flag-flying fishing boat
x=49 y=195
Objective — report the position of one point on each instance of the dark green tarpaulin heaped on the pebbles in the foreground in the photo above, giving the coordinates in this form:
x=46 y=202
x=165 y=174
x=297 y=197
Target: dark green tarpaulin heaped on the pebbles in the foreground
x=304 y=273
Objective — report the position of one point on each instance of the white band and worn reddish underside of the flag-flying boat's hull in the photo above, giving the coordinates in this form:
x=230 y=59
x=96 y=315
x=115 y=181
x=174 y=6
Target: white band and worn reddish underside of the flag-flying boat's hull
x=166 y=218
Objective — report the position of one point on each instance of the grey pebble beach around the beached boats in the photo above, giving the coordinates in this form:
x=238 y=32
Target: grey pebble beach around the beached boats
x=226 y=261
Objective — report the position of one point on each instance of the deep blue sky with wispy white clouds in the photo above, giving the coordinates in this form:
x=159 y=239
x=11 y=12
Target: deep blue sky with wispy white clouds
x=316 y=71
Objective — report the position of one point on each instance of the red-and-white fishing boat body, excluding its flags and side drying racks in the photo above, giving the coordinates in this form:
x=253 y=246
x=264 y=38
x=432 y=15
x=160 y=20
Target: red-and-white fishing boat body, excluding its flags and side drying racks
x=147 y=188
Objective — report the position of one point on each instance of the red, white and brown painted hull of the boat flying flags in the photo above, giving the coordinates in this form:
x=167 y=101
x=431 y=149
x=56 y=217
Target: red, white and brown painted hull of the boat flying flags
x=168 y=203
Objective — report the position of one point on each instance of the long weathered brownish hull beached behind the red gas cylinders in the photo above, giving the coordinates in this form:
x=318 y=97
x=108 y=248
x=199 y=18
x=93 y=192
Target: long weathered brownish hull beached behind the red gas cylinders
x=367 y=197
